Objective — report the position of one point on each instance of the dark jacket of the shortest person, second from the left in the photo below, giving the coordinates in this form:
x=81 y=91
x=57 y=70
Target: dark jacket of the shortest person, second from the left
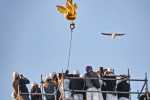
x=35 y=89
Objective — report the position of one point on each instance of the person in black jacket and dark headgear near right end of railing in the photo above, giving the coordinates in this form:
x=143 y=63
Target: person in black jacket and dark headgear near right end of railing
x=123 y=86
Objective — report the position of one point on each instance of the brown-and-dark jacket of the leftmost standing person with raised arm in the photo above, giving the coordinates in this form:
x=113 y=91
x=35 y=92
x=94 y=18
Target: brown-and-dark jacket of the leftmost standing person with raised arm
x=22 y=85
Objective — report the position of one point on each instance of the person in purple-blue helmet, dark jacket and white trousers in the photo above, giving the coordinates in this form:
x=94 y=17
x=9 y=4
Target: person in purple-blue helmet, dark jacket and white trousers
x=92 y=84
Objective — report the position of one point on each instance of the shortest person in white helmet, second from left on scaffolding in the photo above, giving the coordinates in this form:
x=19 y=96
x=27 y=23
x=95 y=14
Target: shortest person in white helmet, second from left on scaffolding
x=35 y=89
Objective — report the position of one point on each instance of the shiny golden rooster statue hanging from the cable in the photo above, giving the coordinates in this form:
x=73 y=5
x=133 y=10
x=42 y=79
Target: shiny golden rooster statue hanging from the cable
x=69 y=12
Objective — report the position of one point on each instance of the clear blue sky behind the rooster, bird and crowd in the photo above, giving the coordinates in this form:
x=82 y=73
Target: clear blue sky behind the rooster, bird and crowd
x=34 y=39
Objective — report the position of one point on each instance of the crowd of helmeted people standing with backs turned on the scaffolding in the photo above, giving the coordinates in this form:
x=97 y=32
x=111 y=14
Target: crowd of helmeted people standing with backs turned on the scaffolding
x=77 y=86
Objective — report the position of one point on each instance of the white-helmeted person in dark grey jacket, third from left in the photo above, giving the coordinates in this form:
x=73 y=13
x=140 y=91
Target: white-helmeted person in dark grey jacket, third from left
x=49 y=88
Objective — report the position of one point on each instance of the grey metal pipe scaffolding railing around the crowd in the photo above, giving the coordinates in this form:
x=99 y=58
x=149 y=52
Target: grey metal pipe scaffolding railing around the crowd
x=139 y=93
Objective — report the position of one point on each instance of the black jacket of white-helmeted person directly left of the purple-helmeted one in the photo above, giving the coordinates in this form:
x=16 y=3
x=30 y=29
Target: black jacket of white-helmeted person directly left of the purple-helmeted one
x=76 y=84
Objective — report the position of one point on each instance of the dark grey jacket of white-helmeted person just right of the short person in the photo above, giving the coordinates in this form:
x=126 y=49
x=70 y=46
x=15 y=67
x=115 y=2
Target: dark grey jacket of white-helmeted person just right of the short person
x=49 y=88
